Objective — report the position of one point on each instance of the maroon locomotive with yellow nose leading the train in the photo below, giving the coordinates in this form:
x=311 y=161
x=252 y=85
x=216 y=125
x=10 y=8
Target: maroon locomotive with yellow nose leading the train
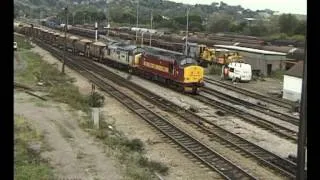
x=171 y=68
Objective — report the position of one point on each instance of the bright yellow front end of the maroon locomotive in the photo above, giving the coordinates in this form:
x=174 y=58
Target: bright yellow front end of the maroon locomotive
x=193 y=74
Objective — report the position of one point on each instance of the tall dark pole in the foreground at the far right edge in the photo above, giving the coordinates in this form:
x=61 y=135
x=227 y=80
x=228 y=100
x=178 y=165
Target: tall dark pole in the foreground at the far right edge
x=302 y=135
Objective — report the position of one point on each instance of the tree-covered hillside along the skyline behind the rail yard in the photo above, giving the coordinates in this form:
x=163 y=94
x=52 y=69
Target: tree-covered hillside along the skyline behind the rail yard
x=216 y=17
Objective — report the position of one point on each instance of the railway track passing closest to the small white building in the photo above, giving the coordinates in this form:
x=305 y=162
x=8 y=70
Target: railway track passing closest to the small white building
x=269 y=99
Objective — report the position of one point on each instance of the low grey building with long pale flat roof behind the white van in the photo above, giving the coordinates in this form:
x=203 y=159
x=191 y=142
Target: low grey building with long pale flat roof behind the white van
x=261 y=61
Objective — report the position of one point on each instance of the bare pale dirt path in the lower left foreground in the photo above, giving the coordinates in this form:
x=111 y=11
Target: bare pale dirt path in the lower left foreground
x=74 y=154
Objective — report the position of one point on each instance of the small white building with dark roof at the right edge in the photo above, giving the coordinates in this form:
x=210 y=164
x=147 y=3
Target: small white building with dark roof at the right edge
x=292 y=82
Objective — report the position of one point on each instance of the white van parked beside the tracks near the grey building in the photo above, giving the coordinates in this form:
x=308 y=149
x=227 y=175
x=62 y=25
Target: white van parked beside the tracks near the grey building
x=237 y=71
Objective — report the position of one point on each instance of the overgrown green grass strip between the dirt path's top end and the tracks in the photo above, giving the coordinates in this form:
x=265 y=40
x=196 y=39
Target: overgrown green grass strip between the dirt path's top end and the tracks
x=60 y=87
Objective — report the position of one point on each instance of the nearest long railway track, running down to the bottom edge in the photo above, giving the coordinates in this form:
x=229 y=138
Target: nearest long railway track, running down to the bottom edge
x=212 y=159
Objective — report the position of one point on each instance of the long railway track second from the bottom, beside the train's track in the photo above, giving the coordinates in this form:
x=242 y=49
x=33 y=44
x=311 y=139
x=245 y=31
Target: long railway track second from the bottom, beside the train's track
x=268 y=159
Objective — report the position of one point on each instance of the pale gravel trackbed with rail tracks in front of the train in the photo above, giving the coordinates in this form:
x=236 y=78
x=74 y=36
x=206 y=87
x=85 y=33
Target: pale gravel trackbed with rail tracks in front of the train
x=226 y=131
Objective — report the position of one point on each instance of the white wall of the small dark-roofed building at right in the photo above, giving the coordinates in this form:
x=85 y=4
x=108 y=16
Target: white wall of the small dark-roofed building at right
x=292 y=87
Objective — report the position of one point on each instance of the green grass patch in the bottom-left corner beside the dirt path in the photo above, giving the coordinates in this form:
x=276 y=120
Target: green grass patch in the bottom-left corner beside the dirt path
x=27 y=161
